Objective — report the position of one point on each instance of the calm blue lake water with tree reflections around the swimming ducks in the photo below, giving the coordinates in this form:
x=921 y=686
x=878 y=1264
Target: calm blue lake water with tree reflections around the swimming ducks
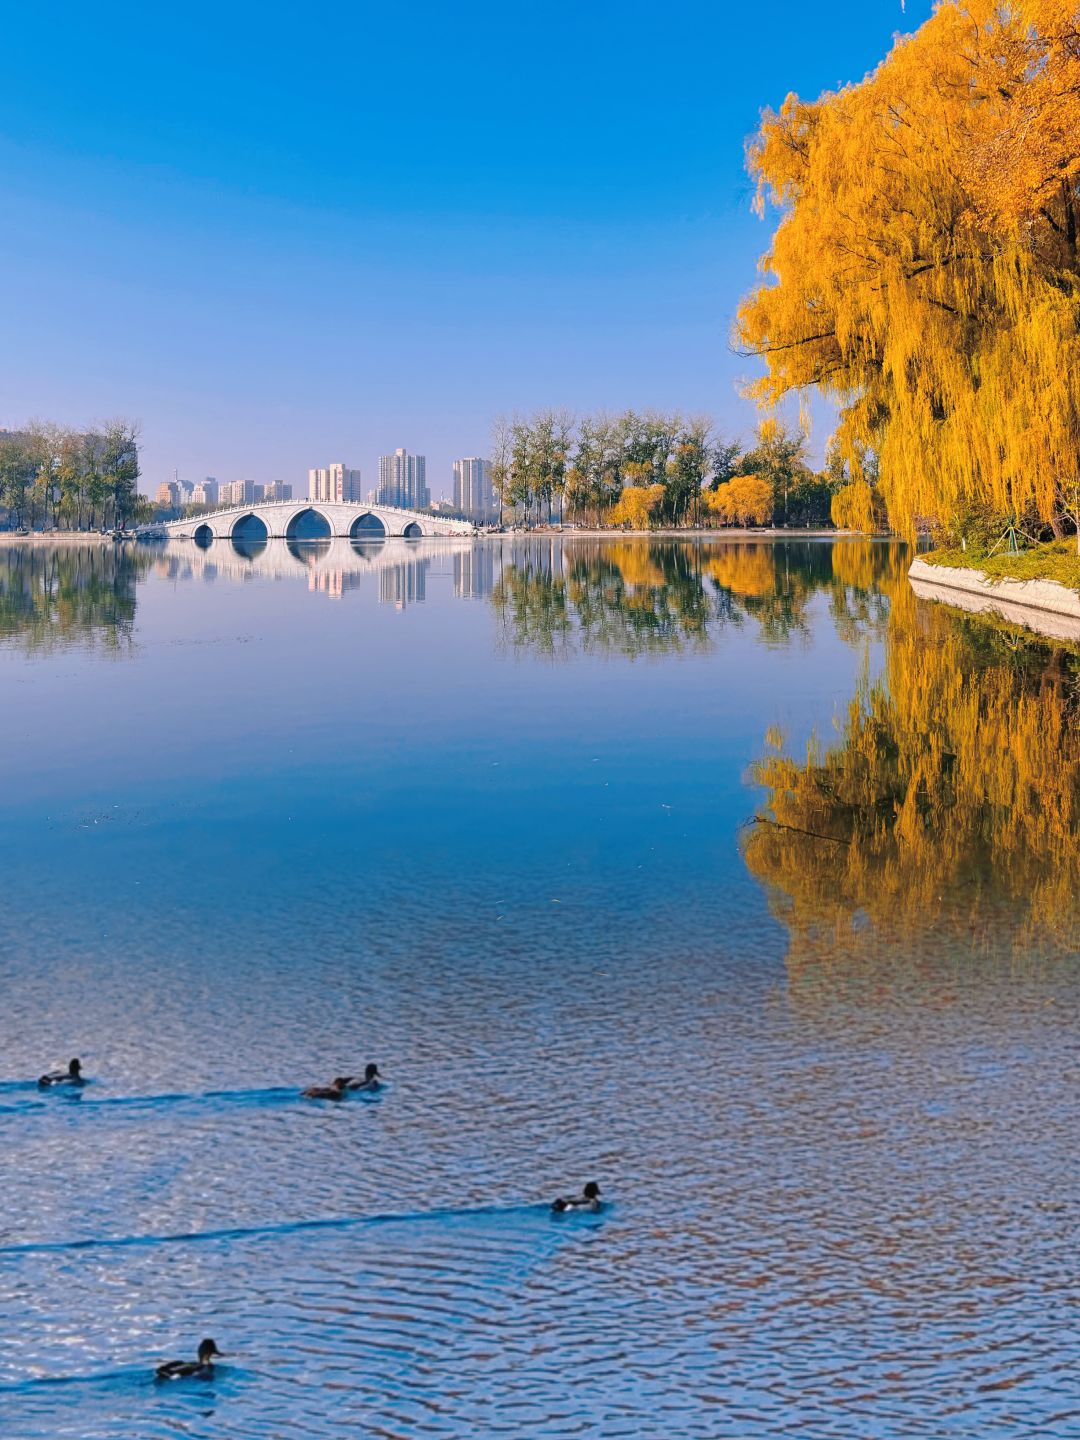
x=728 y=875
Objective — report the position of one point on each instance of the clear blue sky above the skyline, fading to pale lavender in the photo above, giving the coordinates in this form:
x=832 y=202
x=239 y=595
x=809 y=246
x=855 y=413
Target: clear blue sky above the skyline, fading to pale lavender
x=280 y=235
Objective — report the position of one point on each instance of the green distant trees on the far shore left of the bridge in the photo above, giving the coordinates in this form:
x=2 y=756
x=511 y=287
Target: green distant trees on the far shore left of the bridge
x=54 y=477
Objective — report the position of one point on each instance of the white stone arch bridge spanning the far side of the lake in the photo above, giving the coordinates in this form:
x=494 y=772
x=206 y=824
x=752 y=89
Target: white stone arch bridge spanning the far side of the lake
x=313 y=521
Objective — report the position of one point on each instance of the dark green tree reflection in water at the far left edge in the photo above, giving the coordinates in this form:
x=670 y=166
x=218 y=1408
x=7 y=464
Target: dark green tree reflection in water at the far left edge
x=70 y=595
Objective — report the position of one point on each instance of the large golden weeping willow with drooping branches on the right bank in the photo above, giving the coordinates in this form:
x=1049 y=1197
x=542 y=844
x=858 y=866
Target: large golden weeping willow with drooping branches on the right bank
x=925 y=273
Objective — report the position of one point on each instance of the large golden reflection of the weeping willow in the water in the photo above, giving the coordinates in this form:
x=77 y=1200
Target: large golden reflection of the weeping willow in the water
x=950 y=811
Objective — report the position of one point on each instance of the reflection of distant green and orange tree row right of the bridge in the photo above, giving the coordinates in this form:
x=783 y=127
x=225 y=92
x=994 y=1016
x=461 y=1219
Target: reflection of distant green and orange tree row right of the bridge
x=642 y=597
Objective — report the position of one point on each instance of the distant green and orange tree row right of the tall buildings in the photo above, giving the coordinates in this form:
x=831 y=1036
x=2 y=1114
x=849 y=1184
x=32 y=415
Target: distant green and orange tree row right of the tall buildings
x=643 y=470
